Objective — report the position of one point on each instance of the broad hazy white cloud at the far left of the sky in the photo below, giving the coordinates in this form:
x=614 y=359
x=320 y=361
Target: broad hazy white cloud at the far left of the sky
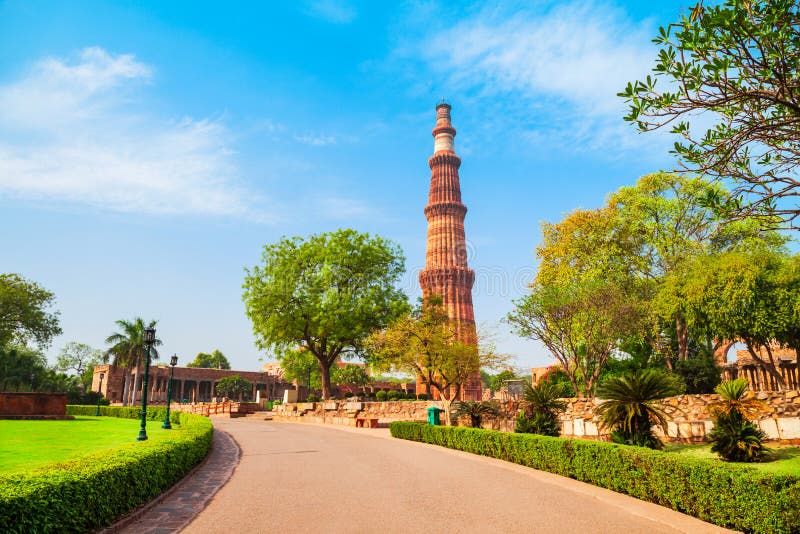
x=73 y=130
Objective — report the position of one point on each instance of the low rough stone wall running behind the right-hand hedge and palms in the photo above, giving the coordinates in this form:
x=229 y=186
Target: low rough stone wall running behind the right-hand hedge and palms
x=688 y=418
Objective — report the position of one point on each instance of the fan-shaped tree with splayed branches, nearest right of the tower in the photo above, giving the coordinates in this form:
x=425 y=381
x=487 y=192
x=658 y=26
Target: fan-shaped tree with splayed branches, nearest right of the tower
x=579 y=323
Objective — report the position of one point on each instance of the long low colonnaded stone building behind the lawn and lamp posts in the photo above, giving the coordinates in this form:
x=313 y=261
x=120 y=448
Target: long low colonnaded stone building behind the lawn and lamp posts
x=190 y=384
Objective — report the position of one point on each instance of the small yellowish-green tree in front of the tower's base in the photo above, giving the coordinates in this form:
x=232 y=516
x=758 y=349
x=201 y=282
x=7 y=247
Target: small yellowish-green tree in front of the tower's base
x=427 y=343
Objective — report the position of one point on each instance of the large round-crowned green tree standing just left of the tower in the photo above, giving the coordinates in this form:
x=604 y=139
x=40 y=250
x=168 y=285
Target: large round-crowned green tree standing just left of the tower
x=326 y=293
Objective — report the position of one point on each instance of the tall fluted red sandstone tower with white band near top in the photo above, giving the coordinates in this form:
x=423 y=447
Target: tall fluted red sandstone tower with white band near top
x=446 y=272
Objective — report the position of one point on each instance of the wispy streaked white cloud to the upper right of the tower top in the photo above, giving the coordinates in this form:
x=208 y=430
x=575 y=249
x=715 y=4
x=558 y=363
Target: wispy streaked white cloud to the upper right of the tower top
x=555 y=68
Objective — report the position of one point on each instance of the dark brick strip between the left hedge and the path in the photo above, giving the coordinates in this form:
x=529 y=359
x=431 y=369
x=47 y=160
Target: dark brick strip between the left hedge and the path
x=174 y=509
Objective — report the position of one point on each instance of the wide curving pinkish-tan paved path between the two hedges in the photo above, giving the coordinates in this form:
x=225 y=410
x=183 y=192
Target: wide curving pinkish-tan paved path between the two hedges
x=315 y=478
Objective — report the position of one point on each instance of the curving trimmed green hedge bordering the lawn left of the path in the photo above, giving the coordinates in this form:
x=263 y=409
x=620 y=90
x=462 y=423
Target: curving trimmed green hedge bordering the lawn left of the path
x=87 y=493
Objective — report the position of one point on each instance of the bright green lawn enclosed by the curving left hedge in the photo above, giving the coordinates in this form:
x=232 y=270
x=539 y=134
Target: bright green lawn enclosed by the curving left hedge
x=26 y=445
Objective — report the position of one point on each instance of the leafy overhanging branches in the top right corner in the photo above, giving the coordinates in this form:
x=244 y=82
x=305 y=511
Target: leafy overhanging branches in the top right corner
x=737 y=63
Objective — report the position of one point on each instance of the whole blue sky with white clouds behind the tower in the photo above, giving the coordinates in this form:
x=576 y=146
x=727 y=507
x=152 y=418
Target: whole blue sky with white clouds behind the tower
x=148 y=150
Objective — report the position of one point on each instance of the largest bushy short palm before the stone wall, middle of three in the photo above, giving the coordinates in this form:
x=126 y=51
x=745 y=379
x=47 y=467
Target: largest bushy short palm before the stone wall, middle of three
x=630 y=407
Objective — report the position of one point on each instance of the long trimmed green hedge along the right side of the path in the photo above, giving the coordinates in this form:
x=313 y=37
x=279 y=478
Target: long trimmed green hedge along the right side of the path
x=732 y=496
